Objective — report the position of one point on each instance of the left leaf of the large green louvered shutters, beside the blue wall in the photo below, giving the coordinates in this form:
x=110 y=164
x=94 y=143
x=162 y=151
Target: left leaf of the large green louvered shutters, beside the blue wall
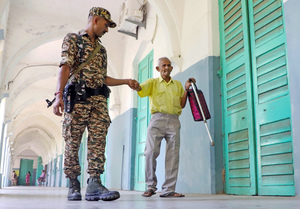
x=239 y=151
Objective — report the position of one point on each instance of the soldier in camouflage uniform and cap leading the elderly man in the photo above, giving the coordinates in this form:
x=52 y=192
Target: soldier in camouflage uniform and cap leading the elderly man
x=93 y=113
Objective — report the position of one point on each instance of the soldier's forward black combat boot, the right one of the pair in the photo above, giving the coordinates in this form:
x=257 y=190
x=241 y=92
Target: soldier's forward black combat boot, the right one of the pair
x=96 y=191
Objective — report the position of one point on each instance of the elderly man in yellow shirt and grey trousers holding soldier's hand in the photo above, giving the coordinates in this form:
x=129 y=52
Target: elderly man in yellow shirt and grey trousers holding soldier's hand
x=167 y=98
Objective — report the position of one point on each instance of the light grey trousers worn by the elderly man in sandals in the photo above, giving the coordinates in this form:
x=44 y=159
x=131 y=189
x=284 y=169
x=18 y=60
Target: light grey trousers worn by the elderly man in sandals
x=163 y=126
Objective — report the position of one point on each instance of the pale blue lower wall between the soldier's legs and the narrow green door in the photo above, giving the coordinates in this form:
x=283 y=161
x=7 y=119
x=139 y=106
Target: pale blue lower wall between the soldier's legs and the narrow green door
x=121 y=151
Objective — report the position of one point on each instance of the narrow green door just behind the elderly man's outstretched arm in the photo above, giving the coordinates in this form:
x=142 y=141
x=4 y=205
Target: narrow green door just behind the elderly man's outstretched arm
x=143 y=118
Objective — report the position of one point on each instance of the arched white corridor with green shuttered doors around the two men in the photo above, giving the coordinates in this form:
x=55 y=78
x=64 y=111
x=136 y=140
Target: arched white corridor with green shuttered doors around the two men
x=244 y=56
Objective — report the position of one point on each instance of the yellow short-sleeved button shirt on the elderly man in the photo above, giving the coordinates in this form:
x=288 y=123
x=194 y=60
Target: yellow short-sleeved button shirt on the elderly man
x=164 y=97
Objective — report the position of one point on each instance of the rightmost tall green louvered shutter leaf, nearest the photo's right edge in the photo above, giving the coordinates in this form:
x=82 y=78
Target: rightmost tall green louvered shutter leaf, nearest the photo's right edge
x=272 y=99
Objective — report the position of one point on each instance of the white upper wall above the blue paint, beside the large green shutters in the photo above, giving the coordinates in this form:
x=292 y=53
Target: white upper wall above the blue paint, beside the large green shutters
x=200 y=32
